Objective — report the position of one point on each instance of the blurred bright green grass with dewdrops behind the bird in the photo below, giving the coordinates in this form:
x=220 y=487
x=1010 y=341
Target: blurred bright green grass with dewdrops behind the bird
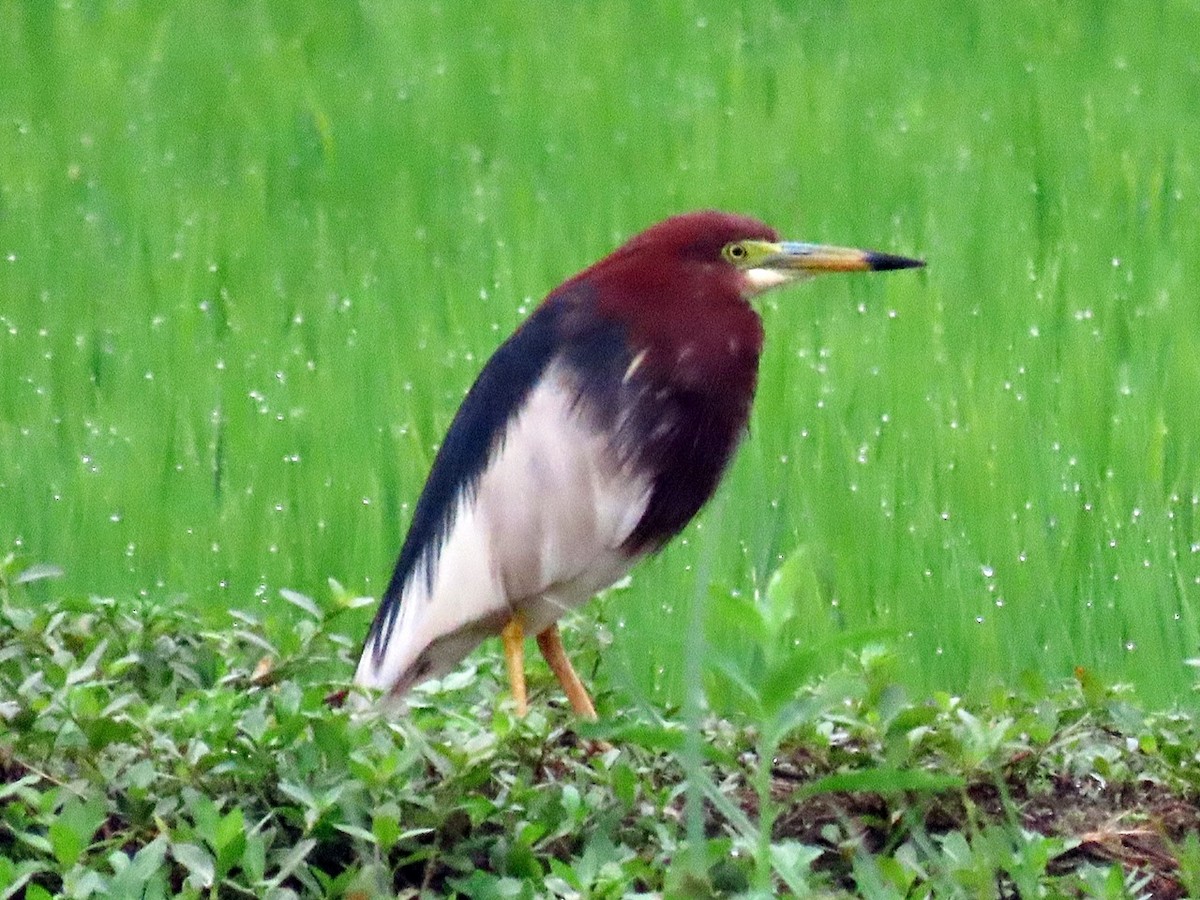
x=253 y=255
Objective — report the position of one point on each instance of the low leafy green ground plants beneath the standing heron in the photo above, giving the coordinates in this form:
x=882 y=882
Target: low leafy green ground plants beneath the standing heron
x=146 y=755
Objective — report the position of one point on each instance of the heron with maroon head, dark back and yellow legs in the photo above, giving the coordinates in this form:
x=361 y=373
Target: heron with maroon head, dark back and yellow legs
x=591 y=439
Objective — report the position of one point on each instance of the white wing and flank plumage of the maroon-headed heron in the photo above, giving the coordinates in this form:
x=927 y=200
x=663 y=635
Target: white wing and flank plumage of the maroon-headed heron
x=541 y=536
